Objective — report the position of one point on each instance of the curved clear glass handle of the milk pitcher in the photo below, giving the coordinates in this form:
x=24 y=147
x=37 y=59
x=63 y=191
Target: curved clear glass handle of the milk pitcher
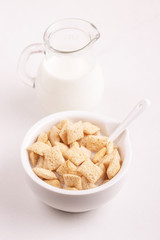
x=24 y=57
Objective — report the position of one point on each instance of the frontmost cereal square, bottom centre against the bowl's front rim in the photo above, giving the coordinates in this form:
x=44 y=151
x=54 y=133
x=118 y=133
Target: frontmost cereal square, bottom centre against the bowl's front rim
x=71 y=180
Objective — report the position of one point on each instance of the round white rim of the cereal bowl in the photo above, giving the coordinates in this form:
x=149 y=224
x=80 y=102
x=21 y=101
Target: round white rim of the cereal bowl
x=42 y=122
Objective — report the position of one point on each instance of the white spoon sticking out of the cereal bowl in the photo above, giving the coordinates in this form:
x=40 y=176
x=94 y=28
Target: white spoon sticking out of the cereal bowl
x=137 y=110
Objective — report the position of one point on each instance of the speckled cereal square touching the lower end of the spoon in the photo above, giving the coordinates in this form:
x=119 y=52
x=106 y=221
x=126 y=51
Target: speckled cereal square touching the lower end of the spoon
x=96 y=143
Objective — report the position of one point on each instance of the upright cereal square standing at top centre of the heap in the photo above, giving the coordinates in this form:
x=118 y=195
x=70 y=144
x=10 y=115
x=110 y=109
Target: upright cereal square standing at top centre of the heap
x=75 y=132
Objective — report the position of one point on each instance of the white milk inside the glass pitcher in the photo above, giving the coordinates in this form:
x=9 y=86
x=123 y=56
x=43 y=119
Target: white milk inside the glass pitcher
x=69 y=83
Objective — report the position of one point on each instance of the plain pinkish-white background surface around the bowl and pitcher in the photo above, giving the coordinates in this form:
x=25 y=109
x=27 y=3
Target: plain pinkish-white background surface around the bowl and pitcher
x=130 y=42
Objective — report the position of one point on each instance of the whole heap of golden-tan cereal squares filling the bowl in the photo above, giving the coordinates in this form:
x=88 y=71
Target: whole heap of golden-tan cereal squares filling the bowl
x=74 y=156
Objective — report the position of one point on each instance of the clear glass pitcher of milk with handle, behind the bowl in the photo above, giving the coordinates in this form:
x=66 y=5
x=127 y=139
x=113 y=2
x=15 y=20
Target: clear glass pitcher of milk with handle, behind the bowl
x=69 y=77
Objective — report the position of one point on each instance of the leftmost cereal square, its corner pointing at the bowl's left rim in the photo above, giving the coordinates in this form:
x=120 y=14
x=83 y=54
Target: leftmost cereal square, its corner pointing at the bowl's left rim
x=39 y=148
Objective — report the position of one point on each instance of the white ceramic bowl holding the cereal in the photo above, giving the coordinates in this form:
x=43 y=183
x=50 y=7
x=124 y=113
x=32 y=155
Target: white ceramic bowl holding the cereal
x=84 y=200
